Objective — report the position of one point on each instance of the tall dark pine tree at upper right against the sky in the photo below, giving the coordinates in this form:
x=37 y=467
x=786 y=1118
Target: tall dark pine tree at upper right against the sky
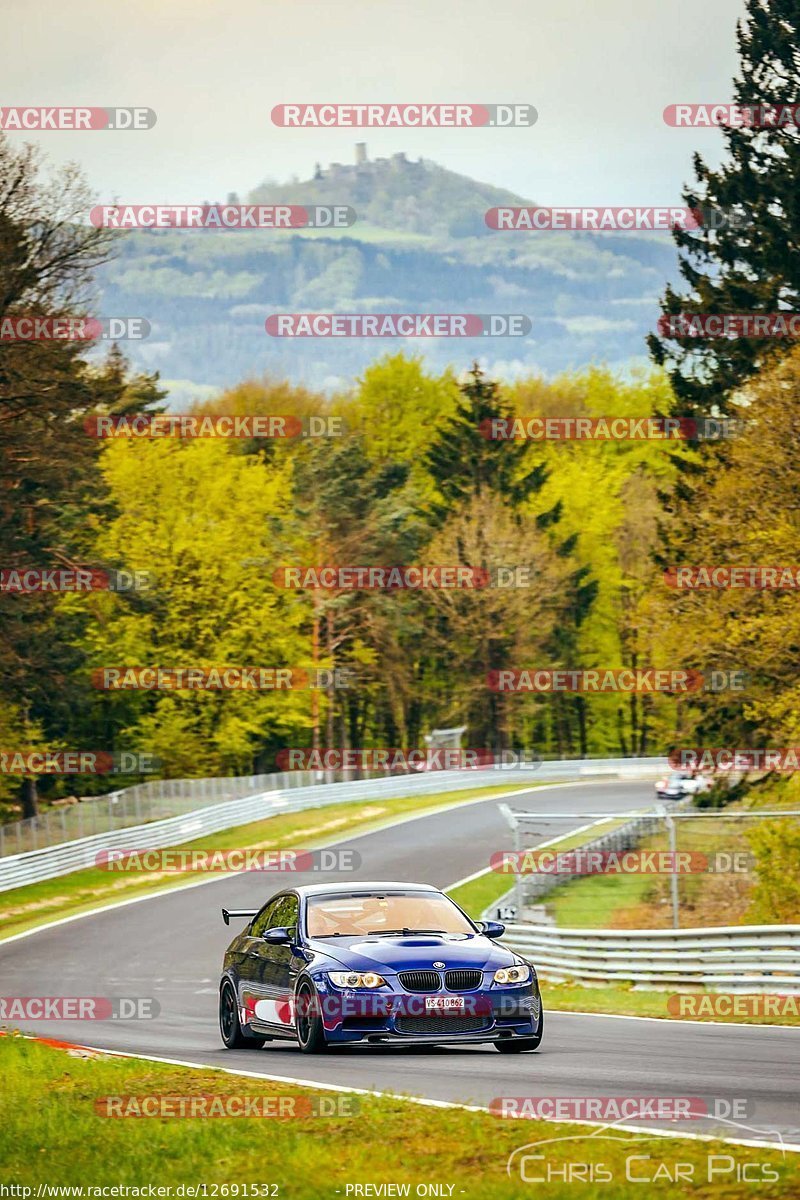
x=751 y=261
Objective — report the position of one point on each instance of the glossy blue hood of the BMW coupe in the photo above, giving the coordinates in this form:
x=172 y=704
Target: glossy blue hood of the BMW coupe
x=414 y=952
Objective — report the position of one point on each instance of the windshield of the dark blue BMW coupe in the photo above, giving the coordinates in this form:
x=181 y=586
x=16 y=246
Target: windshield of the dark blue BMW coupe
x=393 y=913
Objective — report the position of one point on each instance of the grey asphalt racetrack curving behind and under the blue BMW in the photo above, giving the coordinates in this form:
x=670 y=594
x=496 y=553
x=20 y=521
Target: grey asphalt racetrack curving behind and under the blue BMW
x=171 y=947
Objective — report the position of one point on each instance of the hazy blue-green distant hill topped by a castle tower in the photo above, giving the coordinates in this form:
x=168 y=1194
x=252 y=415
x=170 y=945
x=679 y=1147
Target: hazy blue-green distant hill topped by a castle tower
x=419 y=245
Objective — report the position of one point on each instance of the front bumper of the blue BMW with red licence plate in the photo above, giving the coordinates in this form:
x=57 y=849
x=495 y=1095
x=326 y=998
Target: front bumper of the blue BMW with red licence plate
x=399 y=1016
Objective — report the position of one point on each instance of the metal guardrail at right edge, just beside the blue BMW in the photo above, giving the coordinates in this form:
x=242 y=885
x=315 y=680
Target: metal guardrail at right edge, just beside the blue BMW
x=749 y=958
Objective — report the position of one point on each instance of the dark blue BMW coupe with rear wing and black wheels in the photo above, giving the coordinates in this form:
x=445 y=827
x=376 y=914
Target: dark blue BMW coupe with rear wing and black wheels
x=378 y=963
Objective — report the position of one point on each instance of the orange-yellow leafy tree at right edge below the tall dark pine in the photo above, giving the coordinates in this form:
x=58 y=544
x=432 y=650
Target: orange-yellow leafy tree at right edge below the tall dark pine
x=747 y=515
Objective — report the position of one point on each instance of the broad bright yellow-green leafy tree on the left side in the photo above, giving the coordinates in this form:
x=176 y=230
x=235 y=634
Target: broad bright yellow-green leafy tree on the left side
x=202 y=518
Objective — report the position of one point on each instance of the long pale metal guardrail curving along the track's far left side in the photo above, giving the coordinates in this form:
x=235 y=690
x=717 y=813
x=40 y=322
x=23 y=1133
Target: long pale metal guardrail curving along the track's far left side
x=17 y=871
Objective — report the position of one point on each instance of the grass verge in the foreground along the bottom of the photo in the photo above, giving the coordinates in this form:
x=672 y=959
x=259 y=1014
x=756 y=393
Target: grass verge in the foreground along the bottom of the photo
x=55 y=1136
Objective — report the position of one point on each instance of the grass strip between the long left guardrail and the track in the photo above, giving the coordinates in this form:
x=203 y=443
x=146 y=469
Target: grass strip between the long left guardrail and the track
x=35 y=904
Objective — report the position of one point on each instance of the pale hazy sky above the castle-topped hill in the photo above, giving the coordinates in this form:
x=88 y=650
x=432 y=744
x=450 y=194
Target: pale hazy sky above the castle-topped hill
x=600 y=73
